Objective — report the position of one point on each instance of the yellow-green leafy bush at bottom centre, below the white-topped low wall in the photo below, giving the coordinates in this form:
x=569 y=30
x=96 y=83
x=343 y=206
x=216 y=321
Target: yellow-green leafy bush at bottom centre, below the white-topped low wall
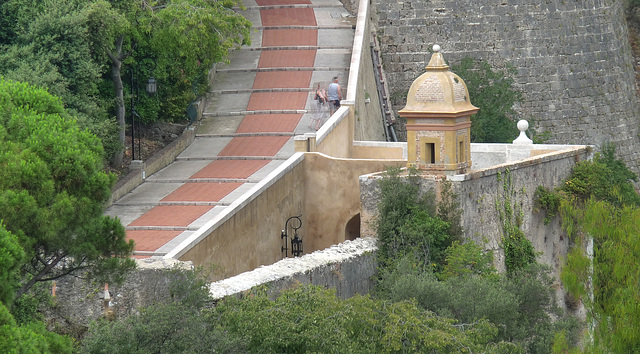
x=310 y=319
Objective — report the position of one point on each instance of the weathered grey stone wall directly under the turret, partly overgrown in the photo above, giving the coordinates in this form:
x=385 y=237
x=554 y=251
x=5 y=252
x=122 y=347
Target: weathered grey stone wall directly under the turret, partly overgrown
x=482 y=191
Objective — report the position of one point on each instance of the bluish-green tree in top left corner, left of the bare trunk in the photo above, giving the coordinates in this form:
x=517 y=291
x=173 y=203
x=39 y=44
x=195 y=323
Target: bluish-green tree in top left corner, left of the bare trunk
x=52 y=48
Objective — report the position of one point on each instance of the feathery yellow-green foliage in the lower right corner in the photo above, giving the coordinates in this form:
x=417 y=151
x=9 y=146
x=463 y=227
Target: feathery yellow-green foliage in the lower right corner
x=607 y=284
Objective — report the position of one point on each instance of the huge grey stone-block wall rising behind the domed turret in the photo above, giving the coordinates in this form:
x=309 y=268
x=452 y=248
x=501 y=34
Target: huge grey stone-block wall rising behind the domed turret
x=573 y=59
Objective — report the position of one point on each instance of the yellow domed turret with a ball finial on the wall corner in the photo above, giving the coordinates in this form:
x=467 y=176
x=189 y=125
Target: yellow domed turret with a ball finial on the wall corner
x=438 y=114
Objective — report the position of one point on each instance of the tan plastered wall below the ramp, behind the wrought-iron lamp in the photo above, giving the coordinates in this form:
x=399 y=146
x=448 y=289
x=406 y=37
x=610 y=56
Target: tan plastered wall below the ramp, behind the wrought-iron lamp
x=325 y=190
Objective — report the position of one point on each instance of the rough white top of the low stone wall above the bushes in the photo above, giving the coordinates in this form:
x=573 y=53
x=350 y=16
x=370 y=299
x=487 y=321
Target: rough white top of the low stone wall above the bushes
x=289 y=267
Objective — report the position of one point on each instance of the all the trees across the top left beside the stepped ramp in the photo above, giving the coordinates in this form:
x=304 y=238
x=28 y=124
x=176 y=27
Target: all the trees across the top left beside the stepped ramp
x=84 y=51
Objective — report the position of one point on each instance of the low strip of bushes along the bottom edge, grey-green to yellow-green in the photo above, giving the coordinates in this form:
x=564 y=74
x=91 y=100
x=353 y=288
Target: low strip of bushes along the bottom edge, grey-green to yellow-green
x=301 y=320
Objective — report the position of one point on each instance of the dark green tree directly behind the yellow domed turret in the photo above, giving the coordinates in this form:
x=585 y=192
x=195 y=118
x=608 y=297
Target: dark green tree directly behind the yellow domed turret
x=492 y=91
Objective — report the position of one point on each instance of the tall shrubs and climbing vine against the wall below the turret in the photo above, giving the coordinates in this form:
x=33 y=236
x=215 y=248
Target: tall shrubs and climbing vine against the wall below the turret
x=460 y=281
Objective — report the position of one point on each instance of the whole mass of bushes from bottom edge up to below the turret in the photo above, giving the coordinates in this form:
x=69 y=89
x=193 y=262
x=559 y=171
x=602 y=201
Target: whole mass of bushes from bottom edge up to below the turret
x=434 y=294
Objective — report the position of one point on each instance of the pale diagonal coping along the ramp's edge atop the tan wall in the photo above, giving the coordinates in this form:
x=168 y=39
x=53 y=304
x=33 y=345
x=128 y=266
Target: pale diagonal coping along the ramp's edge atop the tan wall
x=236 y=206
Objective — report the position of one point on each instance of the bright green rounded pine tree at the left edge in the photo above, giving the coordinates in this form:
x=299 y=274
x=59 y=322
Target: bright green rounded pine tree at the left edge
x=53 y=189
